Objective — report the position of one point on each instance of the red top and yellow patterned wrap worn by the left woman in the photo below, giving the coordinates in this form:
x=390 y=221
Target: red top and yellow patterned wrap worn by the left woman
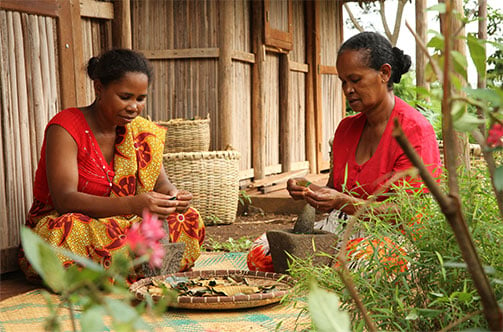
x=135 y=168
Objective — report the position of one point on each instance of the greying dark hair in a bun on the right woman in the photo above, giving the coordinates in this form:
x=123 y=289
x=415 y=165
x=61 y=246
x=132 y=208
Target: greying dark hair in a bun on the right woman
x=378 y=52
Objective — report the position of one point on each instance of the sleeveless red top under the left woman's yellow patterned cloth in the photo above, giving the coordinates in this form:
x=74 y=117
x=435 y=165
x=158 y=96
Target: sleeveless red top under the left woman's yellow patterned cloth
x=95 y=174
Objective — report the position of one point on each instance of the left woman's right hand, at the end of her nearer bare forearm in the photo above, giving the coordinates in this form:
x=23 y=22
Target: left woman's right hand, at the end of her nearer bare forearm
x=160 y=204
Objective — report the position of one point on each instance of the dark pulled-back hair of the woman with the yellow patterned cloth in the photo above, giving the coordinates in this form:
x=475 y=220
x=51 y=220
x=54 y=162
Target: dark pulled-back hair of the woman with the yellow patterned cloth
x=114 y=64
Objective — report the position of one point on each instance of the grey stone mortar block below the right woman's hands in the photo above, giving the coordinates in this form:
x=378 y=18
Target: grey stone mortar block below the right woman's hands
x=285 y=242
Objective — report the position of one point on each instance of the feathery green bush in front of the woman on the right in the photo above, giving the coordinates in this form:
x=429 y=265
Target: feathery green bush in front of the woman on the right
x=435 y=290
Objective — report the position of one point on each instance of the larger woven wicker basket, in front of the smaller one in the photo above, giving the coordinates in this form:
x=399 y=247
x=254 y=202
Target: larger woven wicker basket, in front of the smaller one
x=213 y=179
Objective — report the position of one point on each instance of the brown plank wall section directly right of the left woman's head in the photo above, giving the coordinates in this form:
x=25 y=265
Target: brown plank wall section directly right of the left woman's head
x=180 y=38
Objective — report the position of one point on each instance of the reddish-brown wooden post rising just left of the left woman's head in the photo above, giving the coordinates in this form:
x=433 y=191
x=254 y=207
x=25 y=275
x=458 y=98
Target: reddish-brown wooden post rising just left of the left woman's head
x=71 y=70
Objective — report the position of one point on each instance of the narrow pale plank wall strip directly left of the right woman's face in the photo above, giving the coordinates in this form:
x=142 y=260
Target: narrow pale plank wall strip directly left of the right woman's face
x=331 y=93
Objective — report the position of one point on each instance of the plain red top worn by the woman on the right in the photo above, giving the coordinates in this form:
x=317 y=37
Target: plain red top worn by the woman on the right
x=365 y=179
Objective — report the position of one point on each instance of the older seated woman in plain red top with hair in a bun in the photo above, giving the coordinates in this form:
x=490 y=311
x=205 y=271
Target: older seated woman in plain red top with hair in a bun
x=365 y=155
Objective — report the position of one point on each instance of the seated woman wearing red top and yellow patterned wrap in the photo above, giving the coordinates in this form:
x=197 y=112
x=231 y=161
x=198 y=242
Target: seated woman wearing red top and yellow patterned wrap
x=101 y=167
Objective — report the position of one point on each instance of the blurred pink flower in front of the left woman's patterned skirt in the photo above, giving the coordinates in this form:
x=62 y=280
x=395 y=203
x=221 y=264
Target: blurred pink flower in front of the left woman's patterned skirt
x=143 y=238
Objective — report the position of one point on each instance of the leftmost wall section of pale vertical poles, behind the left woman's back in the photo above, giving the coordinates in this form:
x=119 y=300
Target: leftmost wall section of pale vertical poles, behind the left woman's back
x=29 y=93
